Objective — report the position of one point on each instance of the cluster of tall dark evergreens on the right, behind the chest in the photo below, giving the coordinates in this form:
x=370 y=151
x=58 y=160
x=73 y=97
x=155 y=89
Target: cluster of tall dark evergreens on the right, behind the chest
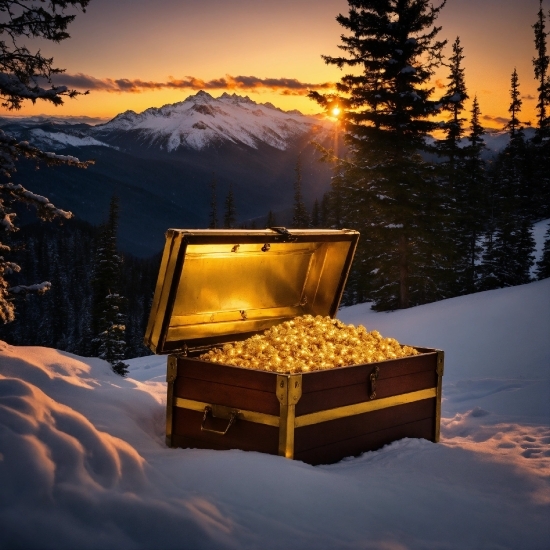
x=438 y=217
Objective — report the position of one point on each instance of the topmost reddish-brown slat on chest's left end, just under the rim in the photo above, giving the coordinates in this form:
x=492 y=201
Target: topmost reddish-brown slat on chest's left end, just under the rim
x=226 y=374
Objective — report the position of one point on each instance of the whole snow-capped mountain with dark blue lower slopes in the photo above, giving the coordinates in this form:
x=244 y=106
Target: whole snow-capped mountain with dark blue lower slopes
x=161 y=164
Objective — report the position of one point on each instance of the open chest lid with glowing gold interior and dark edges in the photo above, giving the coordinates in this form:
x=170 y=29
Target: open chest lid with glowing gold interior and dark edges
x=217 y=286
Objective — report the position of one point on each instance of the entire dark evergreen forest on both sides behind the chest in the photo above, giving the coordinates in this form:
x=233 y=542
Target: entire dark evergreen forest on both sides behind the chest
x=439 y=215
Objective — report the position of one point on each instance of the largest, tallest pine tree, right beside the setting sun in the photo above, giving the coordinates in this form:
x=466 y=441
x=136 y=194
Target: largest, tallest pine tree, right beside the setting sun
x=388 y=190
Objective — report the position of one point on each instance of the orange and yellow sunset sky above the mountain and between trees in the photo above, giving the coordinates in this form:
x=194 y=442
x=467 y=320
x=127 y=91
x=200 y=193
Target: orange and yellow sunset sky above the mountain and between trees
x=136 y=54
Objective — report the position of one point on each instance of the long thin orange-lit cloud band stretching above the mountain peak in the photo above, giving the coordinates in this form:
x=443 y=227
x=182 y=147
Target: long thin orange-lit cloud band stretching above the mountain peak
x=287 y=86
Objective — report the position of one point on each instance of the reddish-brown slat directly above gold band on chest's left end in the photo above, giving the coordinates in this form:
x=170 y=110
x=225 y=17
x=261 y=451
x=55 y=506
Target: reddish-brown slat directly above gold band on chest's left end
x=229 y=396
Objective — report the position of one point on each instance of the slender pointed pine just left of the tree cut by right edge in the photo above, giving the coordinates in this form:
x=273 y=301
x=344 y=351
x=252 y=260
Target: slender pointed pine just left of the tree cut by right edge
x=509 y=251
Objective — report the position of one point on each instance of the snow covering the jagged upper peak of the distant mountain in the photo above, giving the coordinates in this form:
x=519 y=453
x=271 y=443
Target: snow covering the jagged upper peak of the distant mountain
x=202 y=120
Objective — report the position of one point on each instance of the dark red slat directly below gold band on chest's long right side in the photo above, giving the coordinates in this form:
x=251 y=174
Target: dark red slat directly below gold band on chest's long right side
x=308 y=437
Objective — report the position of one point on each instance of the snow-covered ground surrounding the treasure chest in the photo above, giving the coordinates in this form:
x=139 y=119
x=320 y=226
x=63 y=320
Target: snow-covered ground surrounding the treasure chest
x=83 y=464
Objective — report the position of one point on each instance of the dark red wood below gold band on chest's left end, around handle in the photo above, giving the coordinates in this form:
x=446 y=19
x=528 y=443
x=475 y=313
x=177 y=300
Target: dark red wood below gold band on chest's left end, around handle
x=243 y=435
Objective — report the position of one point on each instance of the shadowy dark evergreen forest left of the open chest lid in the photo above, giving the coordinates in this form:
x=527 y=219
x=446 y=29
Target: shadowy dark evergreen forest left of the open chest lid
x=82 y=273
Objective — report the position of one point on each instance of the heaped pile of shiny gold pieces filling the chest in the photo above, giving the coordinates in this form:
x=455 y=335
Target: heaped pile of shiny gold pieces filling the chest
x=307 y=344
